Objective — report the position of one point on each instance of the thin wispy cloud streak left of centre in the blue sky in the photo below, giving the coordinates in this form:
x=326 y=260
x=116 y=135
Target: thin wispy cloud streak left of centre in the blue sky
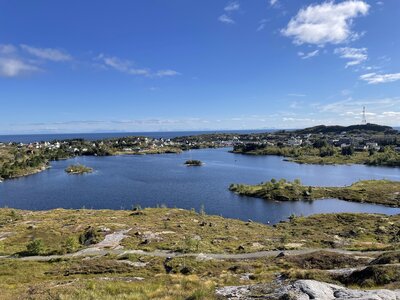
x=128 y=67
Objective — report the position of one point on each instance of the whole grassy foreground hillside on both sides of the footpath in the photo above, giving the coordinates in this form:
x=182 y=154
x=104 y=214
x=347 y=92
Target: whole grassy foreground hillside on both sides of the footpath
x=136 y=276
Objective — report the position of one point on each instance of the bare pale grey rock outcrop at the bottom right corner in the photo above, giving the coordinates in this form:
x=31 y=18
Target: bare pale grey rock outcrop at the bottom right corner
x=303 y=290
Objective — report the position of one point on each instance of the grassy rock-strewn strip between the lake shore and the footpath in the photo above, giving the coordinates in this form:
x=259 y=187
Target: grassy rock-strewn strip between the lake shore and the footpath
x=187 y=231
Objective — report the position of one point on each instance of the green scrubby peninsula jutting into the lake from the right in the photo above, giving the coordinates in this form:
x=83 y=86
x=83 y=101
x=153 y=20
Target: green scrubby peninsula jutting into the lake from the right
x=384 y=192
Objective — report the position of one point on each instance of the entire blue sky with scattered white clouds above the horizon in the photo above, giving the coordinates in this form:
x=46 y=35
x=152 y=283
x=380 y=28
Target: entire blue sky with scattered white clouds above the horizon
x=156 y=65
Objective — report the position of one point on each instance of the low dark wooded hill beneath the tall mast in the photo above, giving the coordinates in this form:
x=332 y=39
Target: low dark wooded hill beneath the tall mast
x=352 y=128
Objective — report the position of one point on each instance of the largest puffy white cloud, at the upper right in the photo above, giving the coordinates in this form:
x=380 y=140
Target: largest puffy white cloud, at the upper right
x=325 y=23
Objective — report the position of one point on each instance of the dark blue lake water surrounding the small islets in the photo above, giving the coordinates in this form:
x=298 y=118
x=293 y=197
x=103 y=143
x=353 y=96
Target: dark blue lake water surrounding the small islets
x=119 y=182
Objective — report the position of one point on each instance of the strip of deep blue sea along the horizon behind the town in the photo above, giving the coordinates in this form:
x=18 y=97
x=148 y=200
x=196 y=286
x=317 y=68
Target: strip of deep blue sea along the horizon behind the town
x=30 y=138
